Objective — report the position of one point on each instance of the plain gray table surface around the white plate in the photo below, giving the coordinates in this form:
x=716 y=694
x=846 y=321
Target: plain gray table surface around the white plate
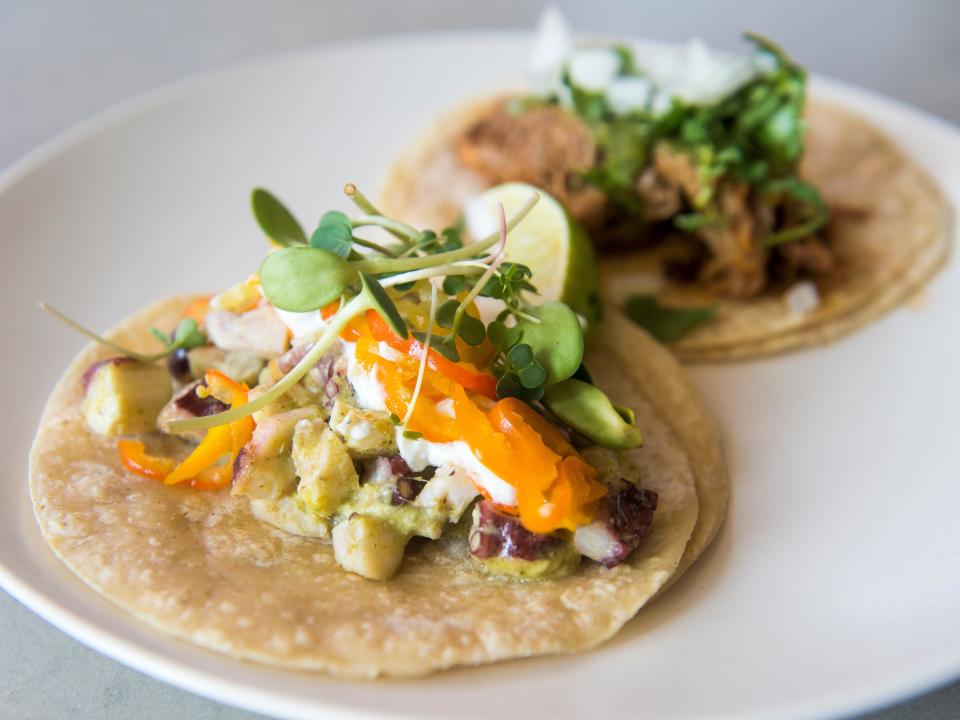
x=61 y=61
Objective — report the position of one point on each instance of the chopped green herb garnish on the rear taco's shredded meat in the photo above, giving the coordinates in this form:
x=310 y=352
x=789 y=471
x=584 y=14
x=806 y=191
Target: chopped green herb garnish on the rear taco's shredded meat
x=755 y=135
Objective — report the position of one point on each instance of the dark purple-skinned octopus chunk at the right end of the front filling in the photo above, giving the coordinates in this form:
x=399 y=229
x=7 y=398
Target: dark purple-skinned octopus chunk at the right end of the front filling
x=624 y=517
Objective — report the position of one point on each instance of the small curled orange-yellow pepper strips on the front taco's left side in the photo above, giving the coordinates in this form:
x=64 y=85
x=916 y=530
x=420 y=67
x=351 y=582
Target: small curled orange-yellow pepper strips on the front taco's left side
x=200 y=467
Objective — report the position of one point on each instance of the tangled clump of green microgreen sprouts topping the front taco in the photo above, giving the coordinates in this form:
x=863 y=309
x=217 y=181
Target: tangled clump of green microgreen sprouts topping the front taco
x=306 y=277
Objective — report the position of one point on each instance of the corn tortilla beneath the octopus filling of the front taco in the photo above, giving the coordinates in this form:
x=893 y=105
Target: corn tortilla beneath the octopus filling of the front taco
x=198 y=566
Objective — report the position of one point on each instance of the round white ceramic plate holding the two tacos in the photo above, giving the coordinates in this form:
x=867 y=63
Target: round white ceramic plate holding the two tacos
x=835 y=584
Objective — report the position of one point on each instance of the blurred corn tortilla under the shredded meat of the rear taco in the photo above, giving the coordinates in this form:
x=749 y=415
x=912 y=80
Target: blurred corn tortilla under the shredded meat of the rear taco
x=891 y=230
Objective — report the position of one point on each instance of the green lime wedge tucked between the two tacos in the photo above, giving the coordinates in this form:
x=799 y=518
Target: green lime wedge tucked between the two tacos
x=550 y=242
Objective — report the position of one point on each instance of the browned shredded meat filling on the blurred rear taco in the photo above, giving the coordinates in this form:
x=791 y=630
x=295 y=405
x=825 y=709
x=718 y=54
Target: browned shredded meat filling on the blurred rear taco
x=551 y=148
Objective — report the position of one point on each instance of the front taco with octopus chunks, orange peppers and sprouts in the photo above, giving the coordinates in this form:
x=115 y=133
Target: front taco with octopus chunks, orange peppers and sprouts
x=341 y=464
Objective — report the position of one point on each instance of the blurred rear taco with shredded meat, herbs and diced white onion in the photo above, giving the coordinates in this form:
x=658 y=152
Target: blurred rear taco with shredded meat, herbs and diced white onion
x=733 y=217
